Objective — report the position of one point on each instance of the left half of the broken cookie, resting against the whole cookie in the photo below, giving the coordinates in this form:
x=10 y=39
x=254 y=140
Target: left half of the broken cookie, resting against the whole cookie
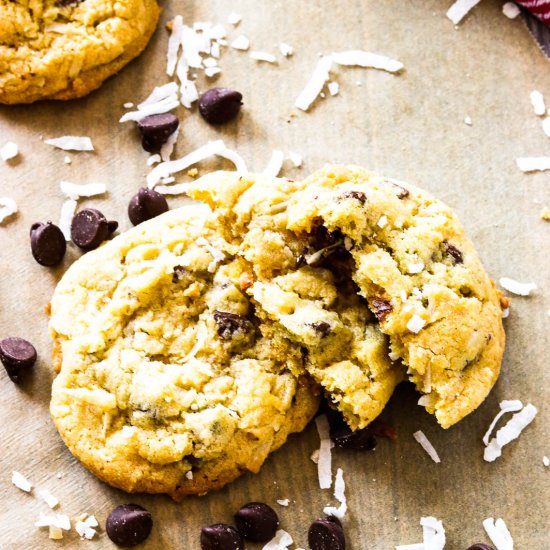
x=313 y=299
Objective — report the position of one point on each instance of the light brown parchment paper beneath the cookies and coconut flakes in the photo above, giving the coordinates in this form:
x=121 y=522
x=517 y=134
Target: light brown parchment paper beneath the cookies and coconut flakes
x=408 y=126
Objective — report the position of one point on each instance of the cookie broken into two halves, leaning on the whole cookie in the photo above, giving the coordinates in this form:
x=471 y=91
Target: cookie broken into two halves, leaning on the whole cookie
x=398 y=252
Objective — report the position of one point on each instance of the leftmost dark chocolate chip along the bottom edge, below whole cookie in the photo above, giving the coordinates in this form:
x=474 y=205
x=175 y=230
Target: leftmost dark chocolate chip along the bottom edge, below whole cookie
x=129 y=524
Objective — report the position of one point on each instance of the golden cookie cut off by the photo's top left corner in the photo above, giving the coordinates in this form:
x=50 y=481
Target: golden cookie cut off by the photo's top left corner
x=64 y=49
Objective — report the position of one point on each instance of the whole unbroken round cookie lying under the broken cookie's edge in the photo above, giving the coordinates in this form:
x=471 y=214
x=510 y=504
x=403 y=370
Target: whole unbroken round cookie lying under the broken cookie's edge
x=169 y=382
